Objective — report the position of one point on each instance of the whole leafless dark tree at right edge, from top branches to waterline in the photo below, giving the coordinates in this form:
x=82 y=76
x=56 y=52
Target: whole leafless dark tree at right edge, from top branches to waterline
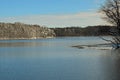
x=111 y=10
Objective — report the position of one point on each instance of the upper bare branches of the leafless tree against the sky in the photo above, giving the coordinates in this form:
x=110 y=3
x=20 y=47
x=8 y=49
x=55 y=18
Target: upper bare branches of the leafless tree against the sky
x=111 y=10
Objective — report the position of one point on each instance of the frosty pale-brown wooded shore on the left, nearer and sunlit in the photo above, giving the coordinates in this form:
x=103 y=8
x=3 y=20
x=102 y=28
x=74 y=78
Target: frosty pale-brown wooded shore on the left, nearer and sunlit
x=24 y=31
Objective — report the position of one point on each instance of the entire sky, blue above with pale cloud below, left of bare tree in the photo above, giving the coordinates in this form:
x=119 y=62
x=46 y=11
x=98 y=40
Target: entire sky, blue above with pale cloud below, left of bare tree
x=52 y=13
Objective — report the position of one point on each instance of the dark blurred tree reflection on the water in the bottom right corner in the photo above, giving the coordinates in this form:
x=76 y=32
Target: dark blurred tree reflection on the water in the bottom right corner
x=112 y=66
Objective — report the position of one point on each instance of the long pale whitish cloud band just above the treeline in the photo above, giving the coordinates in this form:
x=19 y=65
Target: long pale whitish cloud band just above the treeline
x=63 y=20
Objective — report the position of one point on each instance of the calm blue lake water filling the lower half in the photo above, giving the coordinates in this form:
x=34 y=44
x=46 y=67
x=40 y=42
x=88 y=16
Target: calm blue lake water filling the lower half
x=55 y=59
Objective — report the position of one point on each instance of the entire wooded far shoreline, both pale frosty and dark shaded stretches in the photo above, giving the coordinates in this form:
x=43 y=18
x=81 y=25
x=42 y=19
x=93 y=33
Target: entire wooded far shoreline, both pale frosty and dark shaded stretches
x=26 y=31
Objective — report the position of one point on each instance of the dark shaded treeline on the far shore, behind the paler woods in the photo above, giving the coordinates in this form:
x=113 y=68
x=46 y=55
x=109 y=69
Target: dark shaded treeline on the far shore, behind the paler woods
x=87 y=31
